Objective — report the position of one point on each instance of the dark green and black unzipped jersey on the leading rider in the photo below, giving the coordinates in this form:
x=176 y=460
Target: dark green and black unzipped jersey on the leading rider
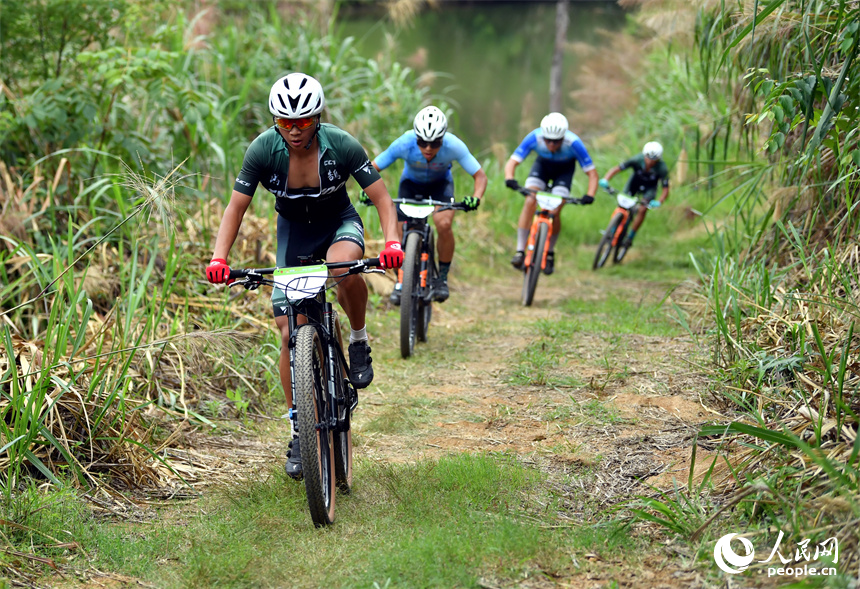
x=267 y=162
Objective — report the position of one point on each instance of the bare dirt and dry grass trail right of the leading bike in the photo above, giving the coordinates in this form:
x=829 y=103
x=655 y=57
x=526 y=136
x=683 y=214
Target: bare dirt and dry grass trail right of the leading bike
x=633 y=416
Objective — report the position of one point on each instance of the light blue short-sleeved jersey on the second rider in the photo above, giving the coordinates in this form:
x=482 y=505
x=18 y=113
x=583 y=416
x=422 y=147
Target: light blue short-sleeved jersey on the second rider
x=417 y=168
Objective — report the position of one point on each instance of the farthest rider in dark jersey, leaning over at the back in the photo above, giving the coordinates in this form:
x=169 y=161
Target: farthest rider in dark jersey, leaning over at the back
x=649 y=170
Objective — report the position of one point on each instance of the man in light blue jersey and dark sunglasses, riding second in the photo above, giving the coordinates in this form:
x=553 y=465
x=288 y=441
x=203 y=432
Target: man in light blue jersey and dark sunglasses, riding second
x=428 y=152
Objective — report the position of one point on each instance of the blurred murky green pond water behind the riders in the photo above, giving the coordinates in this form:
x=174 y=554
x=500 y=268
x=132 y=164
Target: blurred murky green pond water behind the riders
x=491 y=59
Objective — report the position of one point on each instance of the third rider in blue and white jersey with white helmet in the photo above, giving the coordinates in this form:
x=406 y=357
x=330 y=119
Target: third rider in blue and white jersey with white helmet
x=558 y=150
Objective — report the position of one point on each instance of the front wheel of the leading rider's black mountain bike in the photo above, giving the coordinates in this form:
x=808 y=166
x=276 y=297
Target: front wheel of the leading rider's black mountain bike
x=316 y=442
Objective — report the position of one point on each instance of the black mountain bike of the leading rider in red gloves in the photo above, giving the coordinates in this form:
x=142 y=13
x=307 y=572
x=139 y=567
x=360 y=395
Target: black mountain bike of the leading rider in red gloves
x=323 y=395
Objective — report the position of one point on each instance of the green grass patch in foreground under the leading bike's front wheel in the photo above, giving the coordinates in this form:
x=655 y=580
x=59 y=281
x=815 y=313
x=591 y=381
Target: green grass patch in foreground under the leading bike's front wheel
x=434 y=523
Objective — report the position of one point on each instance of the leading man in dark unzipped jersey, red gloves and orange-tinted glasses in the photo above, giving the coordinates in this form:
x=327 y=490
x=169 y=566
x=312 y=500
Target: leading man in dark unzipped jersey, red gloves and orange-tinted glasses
x=305 y=164
